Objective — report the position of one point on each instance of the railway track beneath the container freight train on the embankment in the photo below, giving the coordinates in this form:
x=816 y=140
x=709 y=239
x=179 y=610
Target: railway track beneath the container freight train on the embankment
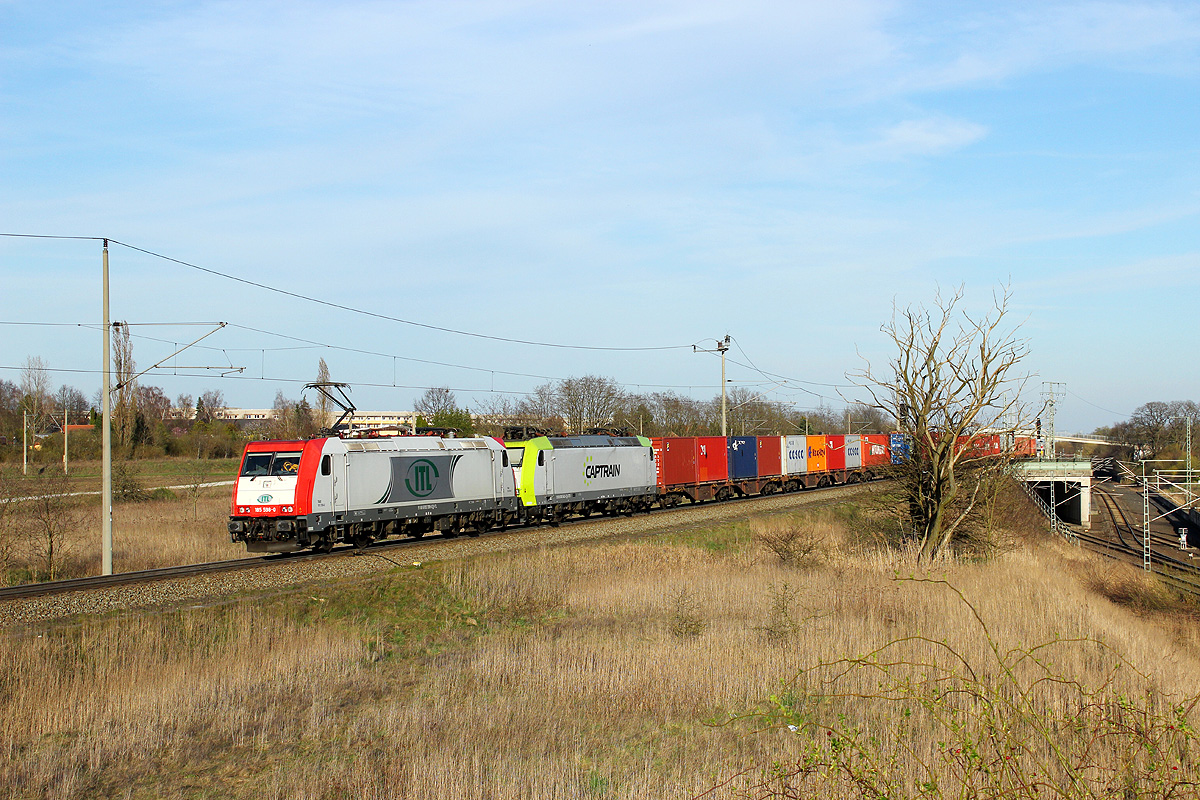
x=381 y=549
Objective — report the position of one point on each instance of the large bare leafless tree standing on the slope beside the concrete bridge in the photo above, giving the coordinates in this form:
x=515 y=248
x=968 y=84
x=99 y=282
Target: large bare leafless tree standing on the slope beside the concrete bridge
x=953 y=374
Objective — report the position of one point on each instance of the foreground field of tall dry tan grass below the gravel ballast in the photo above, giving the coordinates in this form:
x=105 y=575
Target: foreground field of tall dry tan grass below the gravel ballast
x=653 y=669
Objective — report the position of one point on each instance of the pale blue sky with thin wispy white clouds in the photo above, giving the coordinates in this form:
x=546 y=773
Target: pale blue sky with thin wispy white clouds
x=356 y=182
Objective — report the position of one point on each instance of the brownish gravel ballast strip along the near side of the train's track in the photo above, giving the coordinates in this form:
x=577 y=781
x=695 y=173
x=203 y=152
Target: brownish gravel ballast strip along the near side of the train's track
x=211 y=590
